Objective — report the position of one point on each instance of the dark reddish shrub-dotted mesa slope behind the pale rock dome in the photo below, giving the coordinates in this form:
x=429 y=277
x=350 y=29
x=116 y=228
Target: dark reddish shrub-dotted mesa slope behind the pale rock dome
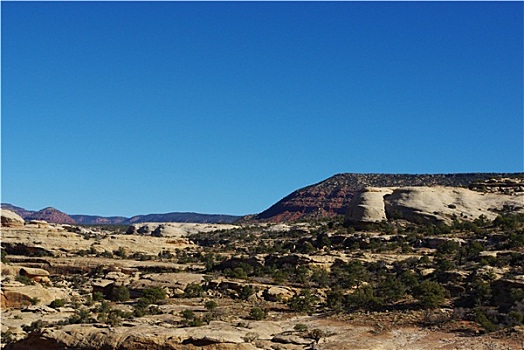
x=331 y=197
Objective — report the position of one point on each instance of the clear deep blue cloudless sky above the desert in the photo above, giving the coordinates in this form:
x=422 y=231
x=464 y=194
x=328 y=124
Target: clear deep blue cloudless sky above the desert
x=124 y=108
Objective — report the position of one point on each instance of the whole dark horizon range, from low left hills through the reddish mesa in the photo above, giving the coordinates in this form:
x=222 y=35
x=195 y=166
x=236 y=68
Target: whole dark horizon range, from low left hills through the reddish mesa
x=328 y=198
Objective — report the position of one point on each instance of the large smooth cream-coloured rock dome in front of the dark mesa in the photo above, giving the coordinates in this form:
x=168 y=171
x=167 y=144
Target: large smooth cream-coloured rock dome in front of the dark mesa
x=429 y=204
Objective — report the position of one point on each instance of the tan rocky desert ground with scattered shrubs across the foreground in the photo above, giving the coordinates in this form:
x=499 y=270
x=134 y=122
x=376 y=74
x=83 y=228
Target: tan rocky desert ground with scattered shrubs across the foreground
x=188 y=286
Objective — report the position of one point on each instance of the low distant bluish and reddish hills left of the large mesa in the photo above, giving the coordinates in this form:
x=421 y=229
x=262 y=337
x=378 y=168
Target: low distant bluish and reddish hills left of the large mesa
x=56 y=216
